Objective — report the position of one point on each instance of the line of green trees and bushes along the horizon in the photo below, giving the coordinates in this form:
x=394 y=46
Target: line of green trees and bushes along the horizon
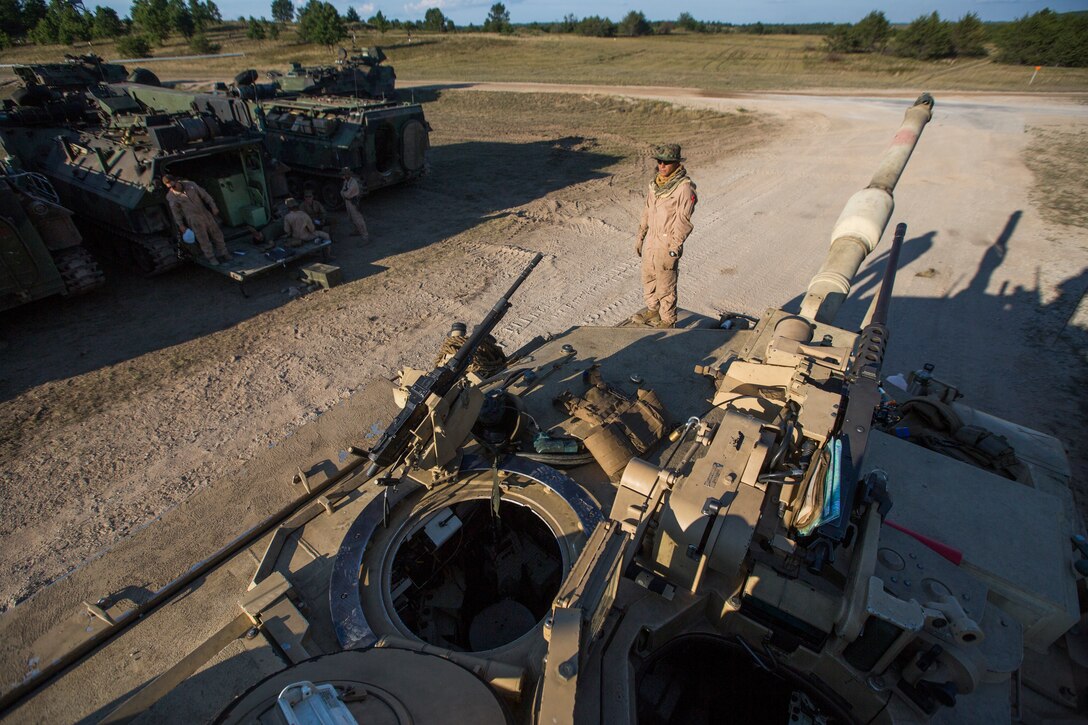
x=1044 y=39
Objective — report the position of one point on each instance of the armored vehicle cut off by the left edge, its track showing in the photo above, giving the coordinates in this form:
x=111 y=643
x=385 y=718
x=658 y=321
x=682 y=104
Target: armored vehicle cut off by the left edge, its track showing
x=42 y=252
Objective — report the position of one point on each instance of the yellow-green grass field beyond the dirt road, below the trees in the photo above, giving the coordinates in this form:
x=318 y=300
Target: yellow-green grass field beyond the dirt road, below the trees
x=716 y=64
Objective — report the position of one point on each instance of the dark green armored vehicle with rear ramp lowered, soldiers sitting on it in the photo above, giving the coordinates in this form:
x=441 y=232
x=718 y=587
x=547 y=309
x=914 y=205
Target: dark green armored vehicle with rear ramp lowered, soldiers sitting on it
x=105 y=153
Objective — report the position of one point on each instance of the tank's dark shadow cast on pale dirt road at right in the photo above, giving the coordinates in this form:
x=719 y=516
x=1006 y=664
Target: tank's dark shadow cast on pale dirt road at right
x=1012 y=352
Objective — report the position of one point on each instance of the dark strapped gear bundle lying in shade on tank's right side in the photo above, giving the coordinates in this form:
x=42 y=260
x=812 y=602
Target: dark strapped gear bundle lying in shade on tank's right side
x=938 y=427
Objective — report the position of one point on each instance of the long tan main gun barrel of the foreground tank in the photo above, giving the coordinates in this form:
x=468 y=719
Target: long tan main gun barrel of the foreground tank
x=863 y=220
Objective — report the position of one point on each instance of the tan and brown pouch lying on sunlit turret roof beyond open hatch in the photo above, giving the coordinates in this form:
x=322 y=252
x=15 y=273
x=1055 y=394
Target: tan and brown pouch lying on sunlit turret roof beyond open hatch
x=622 y=427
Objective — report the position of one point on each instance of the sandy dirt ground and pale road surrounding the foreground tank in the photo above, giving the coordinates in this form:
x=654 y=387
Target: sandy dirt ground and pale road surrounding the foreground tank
x=119 y=408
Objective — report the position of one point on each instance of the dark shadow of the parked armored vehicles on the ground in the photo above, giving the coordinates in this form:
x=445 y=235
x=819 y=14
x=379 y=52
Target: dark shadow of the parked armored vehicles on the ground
x=469 y=183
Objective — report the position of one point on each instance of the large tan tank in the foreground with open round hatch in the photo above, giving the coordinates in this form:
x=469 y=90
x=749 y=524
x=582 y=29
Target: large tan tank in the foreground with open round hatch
x=758 y=527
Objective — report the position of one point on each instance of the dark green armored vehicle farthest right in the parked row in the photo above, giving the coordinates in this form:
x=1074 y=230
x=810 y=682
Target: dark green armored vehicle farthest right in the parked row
x=385 y=143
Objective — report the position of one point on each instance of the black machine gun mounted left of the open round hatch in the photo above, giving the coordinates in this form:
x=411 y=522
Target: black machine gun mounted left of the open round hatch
x=440 y=382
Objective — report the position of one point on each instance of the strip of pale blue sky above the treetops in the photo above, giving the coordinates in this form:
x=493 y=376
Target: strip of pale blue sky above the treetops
x=465 y=13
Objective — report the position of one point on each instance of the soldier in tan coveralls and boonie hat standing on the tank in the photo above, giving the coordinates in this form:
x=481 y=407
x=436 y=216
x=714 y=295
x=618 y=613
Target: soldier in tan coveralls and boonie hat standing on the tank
x=665 y=225
